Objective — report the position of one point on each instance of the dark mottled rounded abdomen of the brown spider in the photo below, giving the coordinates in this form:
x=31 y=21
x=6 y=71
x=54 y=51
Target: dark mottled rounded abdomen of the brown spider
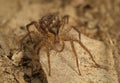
x=50 y=23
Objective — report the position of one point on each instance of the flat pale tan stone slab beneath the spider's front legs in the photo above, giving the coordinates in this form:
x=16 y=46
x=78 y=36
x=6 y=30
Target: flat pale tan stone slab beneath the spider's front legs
x=64 y=68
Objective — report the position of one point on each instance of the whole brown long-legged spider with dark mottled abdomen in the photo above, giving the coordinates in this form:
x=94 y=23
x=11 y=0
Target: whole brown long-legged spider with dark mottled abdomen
x=50 y=30
